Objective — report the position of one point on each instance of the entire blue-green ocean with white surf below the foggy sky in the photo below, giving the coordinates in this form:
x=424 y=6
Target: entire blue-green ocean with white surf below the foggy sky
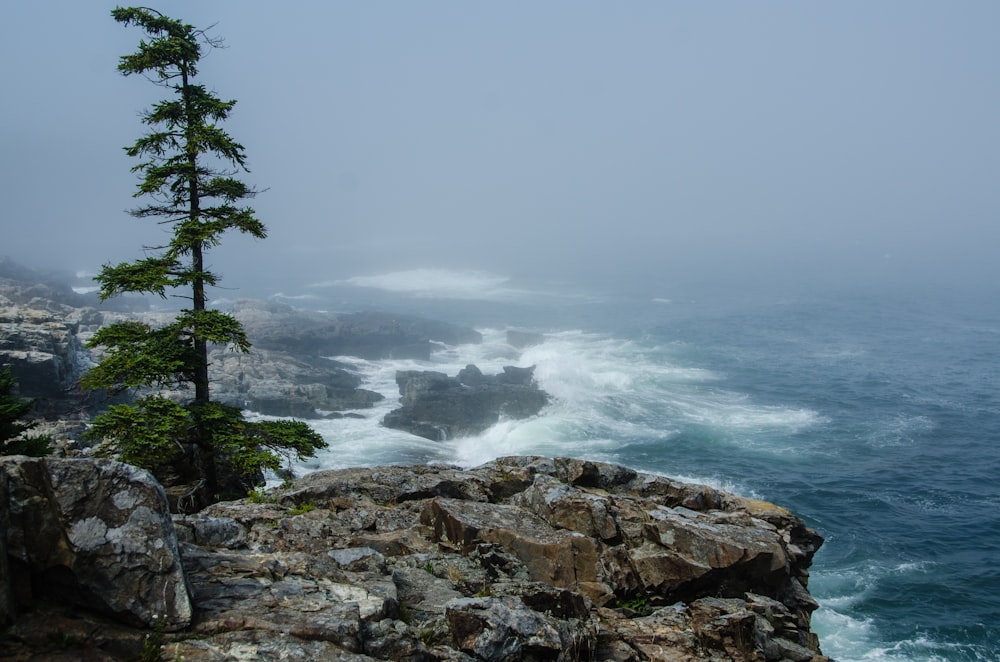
x=875 y=417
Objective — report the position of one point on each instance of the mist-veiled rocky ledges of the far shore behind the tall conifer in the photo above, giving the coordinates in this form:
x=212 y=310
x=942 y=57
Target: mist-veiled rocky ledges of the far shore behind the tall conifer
x=44 y=325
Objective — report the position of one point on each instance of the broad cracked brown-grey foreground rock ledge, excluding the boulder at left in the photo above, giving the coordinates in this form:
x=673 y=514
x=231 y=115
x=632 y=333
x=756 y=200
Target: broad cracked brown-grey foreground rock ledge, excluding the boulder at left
x=523 y=558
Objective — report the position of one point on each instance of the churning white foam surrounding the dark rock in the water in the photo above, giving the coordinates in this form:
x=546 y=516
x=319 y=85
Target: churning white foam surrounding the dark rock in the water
x=603 y=390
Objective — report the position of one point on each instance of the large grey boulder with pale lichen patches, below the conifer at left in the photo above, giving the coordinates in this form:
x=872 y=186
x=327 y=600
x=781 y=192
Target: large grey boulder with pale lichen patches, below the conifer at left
x=97 y=534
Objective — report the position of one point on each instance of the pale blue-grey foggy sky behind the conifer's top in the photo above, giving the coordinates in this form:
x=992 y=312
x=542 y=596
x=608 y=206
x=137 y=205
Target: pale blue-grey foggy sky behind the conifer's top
x=561 y=140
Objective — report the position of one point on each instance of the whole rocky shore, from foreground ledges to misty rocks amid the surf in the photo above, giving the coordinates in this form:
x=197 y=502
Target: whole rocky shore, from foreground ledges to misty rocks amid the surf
x=523 y=558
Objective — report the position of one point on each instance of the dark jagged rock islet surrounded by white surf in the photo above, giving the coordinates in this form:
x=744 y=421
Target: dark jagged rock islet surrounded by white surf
x=439 y=407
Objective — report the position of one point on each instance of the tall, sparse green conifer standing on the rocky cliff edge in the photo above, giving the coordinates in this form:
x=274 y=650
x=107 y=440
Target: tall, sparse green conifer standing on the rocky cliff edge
x=187 y=166
